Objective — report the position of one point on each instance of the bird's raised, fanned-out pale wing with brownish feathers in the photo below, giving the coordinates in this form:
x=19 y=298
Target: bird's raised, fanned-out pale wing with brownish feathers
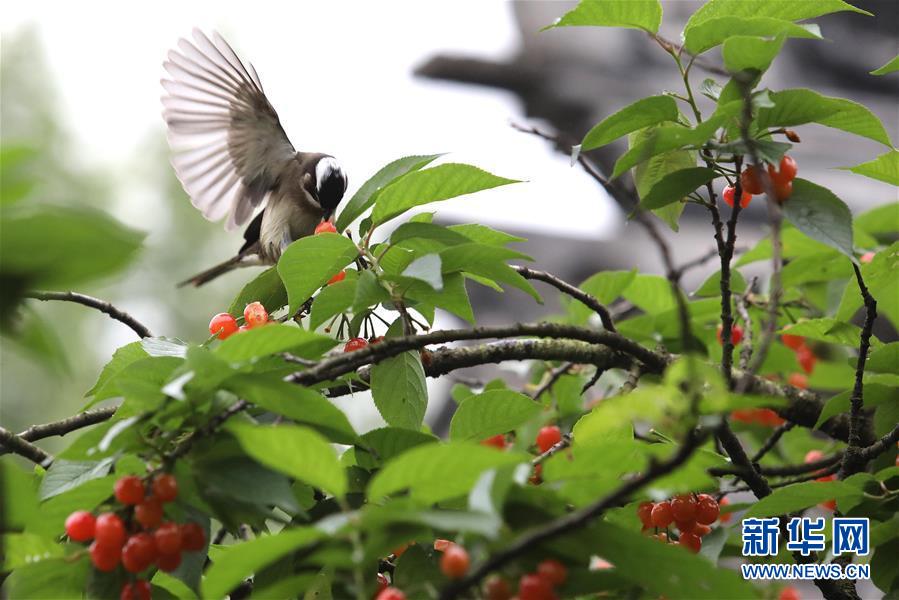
x=229 y=147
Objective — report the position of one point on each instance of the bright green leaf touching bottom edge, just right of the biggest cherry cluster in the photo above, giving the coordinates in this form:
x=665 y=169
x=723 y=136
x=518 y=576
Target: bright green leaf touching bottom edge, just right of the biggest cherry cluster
x=235 y=563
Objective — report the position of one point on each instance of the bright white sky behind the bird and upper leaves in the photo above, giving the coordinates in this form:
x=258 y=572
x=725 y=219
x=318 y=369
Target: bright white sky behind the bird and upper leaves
x=340 y=76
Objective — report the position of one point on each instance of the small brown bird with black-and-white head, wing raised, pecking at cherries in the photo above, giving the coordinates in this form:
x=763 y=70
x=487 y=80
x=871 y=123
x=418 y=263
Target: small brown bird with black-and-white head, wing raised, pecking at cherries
x=232 y=156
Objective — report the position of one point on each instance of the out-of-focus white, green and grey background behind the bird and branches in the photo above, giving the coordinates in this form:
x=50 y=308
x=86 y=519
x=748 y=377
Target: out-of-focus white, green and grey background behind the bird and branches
x=369 y=82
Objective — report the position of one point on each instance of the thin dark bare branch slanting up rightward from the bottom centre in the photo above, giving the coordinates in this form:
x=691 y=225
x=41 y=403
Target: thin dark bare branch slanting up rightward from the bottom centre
x=573 y=520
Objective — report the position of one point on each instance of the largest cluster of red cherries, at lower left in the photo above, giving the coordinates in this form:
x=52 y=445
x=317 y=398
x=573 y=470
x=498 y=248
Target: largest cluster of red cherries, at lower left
x=141 y=539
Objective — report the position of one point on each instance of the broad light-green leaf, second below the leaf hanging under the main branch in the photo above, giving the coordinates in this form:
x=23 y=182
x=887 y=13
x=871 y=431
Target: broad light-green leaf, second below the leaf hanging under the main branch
x=436 y=472
